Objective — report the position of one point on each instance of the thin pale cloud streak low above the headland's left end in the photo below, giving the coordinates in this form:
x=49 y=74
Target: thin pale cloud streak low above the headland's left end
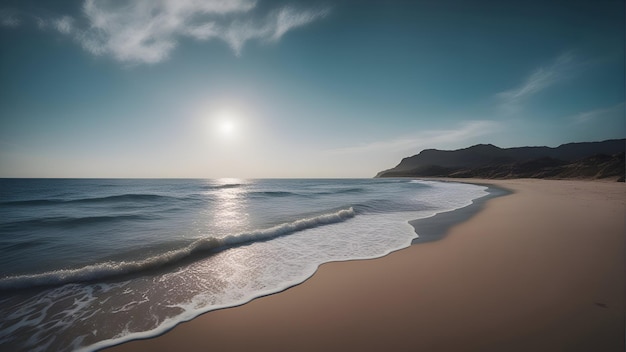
x=460 y=136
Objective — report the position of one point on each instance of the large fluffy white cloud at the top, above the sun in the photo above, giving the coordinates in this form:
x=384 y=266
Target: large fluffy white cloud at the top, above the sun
x=147 y=31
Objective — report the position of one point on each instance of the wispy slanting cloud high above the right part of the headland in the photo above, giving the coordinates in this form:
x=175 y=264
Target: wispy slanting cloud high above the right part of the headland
x=537 y=81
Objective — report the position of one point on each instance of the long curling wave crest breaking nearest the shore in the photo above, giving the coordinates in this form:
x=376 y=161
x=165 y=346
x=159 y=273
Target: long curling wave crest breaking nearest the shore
x=110 y=269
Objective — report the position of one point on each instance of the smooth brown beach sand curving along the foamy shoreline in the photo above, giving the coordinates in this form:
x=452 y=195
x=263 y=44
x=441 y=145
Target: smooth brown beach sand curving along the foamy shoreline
x=541 y=269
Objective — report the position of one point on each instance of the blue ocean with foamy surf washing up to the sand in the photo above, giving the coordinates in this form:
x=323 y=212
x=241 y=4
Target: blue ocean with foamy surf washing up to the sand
x=90 y=263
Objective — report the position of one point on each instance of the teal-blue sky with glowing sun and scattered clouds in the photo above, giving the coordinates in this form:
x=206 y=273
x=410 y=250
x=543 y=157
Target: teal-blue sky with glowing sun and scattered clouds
x=291 y=89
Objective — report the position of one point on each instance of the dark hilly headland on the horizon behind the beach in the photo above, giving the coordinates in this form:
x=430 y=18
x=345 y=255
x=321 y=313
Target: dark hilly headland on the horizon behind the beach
x=587 y=160
